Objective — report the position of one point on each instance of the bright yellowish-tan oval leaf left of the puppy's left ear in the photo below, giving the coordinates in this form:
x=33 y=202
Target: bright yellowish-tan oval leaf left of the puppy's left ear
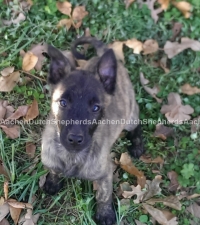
x=29 y=61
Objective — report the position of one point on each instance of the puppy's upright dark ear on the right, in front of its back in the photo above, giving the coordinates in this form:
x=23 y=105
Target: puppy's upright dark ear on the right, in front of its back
x=107 y=69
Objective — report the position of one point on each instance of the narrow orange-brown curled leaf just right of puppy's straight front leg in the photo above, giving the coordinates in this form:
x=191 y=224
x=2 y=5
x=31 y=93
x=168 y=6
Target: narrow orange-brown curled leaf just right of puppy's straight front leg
x=127 y=165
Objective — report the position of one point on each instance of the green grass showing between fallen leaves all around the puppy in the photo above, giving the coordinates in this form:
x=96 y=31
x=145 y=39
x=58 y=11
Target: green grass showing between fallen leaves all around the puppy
x=108 y=21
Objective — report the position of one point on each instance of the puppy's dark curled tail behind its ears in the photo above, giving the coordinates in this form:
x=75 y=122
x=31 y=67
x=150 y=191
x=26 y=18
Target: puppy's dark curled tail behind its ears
x=99 y=46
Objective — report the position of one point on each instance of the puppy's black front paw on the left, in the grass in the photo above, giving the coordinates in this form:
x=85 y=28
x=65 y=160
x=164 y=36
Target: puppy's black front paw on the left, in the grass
x=53 y=184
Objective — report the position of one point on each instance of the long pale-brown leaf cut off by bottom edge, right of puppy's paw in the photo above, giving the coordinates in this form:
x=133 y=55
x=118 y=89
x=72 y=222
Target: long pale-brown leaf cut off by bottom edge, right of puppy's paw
x=159 y=216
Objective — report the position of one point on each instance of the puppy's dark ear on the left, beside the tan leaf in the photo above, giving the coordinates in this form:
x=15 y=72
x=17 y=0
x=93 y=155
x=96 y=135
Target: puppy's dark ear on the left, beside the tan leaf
x=59 y=66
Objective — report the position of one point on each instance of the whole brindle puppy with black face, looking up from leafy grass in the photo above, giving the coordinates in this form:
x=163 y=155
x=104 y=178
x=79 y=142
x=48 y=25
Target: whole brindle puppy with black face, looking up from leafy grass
x=100 y=91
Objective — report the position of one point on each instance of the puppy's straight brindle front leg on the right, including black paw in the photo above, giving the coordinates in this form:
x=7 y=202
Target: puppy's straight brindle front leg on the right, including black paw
x=105 y=214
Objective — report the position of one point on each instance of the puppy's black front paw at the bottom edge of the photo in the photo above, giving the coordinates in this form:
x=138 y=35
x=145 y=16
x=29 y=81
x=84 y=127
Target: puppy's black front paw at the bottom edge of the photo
x=105 y=214
